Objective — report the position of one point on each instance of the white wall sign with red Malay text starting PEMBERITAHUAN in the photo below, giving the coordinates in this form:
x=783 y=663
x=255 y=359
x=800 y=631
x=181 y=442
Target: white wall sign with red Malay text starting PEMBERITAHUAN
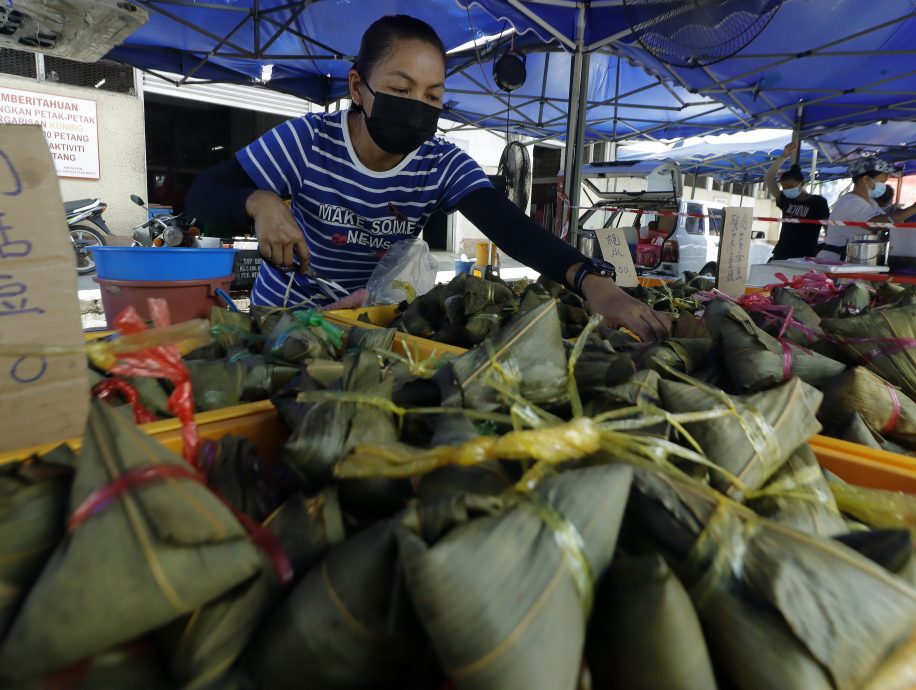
x=70 y=126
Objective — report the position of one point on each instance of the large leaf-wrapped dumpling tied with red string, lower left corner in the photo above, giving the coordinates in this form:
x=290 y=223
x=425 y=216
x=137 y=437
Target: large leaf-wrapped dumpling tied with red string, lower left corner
x=159 y=549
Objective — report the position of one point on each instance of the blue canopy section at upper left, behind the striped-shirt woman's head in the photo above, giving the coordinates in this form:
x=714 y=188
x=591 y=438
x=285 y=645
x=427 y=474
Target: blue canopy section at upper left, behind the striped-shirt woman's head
x=302 y=47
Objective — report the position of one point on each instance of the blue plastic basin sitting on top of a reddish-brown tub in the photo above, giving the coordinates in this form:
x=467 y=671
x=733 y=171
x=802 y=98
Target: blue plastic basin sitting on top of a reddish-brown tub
x=162 y=263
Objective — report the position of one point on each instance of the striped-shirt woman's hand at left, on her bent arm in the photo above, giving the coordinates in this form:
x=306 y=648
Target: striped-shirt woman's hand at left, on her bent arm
x=280 y=239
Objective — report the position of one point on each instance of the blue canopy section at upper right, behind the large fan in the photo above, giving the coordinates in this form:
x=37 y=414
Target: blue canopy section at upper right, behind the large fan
x=850 y=65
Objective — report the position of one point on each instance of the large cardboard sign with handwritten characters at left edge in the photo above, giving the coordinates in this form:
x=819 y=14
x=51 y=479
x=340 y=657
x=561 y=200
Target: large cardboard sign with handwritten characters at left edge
x=43 y=399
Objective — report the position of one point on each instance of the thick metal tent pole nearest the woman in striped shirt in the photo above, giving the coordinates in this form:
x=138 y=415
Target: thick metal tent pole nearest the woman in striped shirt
x=575 y=131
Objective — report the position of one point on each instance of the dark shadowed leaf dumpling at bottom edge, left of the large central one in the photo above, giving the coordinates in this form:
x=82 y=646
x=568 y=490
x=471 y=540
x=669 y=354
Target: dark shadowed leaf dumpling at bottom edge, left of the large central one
x=347 y=624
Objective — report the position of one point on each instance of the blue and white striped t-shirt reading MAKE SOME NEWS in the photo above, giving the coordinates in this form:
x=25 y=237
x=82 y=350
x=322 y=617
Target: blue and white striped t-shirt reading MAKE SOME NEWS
x=349 y=214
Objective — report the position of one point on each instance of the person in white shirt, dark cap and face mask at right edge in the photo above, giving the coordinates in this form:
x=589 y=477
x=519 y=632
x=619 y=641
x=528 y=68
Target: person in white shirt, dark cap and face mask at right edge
x=869 y=177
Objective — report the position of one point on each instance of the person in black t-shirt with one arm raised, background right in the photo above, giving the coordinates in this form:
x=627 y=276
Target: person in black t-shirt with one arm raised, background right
x=796 y=240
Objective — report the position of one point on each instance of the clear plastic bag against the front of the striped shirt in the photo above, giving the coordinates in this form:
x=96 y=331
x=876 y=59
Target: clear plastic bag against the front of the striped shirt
x=407 y=262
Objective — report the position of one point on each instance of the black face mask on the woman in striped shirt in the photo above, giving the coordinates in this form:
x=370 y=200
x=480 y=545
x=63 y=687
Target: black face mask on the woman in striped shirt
x=399 y=125
